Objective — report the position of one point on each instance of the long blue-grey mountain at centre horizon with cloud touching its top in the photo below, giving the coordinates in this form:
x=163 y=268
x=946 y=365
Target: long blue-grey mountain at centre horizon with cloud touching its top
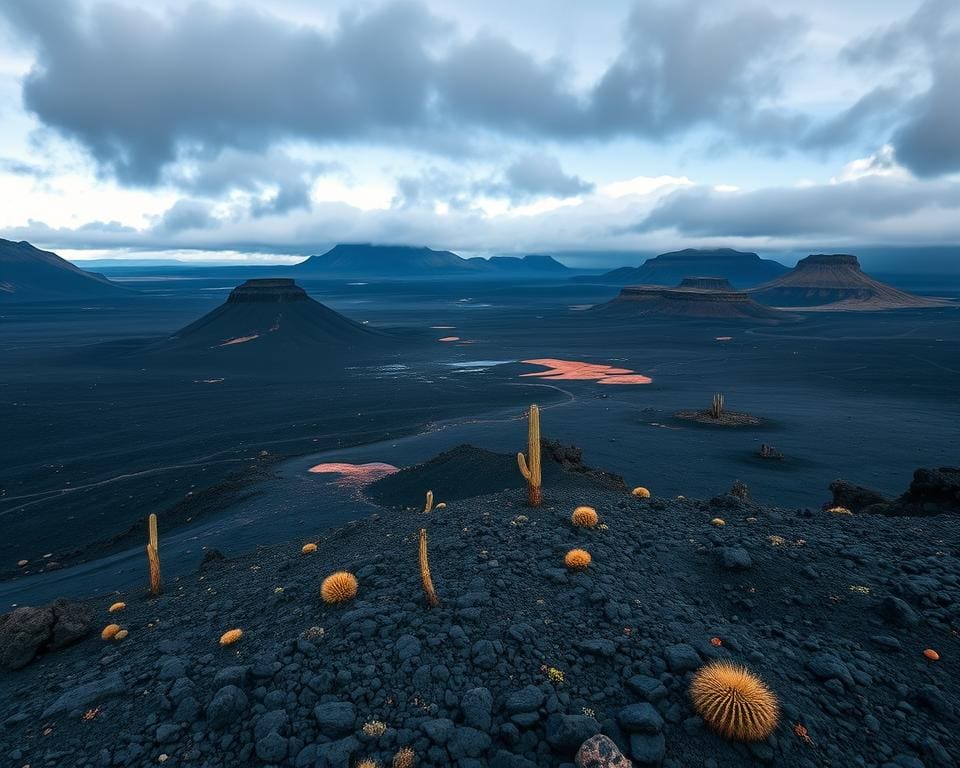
x=400 y=261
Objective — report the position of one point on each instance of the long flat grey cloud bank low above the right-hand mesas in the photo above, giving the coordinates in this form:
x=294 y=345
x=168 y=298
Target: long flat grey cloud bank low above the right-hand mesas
x=833 y=209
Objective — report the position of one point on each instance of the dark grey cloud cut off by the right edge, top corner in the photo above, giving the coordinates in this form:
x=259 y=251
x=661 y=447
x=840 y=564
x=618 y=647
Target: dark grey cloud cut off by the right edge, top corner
x=927 y=44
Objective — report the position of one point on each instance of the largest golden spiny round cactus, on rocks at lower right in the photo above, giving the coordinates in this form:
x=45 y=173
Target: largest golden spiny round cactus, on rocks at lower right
x=734 y=702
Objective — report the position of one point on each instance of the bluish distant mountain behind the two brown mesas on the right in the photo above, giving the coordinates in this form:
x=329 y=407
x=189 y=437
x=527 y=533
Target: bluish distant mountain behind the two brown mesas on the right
x=742 y=269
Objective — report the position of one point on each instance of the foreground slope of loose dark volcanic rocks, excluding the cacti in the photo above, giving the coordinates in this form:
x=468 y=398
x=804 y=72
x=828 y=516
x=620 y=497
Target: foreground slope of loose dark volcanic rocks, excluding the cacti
x=523 y=660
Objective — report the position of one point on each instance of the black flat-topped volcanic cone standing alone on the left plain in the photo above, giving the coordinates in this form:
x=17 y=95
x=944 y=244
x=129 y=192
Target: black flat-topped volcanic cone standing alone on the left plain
x=271 y=321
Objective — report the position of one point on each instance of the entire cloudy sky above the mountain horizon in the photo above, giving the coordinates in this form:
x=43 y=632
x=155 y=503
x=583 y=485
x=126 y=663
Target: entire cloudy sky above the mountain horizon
x=226 y=130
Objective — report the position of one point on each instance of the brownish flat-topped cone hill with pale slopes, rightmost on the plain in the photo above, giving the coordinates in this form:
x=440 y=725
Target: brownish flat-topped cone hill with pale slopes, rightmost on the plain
x=836 y=281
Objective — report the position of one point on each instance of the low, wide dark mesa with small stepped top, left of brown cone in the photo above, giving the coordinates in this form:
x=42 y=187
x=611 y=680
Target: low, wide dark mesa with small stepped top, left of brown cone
x=689 y=300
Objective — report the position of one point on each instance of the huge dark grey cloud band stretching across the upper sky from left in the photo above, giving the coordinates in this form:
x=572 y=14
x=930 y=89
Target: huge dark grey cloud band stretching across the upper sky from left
x=140 y=90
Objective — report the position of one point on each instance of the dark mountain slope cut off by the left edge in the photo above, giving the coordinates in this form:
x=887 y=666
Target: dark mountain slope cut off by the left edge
x=29 y=274
